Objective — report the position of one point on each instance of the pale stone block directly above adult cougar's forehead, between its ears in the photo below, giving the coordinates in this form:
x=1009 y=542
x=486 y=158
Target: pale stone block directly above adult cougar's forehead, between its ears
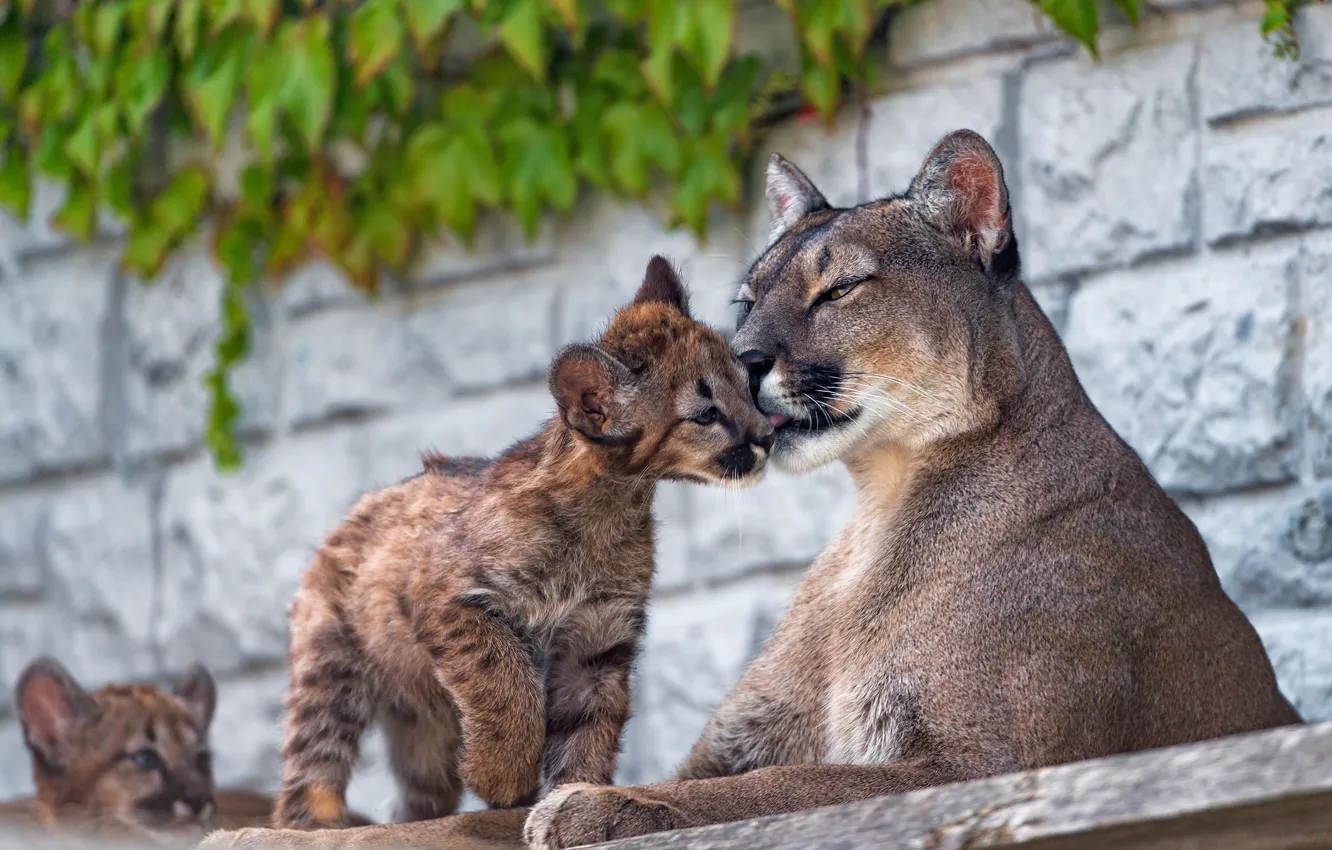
x=905 y=127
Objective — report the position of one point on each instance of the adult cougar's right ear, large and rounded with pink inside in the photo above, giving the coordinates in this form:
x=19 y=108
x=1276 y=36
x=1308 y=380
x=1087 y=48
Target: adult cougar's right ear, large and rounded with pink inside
x=962 y=187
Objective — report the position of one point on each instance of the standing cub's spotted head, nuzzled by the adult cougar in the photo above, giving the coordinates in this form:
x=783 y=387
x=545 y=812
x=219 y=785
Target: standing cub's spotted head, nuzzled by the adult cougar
x=661 y=395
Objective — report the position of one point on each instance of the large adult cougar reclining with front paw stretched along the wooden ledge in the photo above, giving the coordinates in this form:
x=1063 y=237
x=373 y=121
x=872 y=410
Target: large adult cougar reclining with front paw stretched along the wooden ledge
x=1014 y=591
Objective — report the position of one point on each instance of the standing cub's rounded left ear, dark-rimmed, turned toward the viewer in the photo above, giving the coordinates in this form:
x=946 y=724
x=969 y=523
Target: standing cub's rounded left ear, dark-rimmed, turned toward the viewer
x=584 y=380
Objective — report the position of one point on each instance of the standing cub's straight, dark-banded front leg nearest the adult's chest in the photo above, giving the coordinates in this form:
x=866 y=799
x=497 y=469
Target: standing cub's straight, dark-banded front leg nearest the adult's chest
x=588 y=701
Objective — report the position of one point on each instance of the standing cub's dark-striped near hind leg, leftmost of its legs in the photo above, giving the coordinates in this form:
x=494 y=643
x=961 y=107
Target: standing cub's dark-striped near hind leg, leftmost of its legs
x=328 y=707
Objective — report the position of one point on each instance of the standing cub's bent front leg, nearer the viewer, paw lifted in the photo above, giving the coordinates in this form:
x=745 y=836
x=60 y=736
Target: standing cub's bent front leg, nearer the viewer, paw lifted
x=498 y=689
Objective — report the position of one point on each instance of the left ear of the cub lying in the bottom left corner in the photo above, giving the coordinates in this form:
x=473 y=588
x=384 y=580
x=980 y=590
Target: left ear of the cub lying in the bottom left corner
x=53 y=708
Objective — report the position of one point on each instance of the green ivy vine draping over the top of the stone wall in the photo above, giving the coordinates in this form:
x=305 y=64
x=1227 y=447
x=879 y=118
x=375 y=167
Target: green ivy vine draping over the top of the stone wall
x=364 y=126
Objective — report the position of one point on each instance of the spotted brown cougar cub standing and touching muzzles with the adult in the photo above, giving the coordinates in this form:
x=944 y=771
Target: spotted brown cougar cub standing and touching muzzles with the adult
x=487 y=612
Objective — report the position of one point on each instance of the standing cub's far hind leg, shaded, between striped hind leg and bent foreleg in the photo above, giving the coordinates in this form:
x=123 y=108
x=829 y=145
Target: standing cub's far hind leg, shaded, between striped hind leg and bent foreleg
x=424 y=756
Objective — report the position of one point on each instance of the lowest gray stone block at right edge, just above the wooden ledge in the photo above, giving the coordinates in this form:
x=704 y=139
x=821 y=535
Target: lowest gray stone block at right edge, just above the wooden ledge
x=1299 y=647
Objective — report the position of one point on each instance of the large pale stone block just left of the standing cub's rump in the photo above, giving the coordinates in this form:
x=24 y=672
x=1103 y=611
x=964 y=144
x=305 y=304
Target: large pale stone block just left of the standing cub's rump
x=235 y=547
